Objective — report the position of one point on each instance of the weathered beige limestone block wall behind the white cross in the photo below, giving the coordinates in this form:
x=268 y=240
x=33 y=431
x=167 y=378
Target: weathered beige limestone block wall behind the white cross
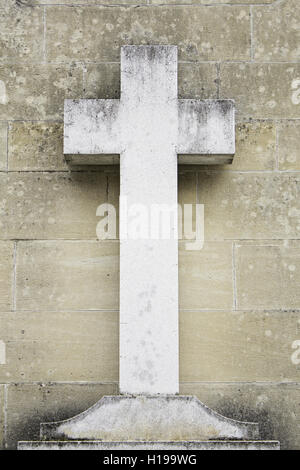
x=239 y=296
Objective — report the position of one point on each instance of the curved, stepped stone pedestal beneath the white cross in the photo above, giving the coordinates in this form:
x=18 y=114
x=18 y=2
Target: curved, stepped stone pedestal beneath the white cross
x=167 y=422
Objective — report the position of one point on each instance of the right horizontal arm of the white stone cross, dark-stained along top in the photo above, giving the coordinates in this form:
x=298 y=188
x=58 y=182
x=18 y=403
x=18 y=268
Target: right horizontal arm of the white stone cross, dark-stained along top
x=206 y=127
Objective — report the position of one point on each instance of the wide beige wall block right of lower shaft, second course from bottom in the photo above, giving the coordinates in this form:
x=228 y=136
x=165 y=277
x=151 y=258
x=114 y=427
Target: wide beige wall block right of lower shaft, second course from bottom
x=239 y=346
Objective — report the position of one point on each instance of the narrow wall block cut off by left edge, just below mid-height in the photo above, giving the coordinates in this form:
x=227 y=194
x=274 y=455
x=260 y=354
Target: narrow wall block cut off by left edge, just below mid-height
x=6 y=274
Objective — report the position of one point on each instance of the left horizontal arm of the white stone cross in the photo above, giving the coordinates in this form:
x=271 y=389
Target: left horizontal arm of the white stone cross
x=92 y=127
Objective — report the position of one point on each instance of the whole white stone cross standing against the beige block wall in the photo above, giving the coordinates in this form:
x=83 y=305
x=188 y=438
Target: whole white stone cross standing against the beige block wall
x=149 y=127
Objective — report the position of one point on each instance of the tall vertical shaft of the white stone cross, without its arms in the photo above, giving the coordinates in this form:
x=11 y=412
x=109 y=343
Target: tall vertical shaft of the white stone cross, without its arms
x=148 y=267
